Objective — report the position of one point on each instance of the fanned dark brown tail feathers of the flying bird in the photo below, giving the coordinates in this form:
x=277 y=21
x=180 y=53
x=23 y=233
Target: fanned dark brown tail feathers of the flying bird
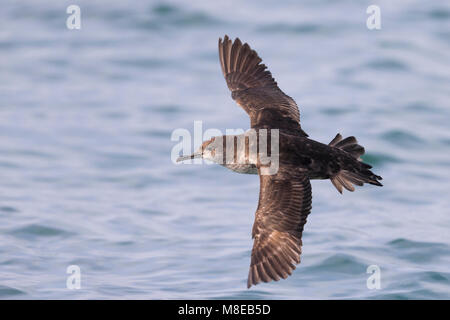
x=357 y=175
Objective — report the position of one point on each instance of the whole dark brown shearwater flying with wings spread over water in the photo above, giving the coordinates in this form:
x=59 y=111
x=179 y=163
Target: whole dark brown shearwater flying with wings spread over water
x=284 y=196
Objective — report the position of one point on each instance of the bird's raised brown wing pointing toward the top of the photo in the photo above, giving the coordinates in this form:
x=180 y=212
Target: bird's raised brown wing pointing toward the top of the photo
x=254 y=89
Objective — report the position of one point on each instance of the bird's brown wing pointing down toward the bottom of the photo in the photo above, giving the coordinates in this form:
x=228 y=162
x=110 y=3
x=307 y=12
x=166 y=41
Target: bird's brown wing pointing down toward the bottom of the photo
x=284 y=204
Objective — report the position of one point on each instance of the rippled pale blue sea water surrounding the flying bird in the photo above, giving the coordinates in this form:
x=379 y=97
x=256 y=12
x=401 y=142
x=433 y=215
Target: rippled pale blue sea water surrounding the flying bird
x=86 y=119
